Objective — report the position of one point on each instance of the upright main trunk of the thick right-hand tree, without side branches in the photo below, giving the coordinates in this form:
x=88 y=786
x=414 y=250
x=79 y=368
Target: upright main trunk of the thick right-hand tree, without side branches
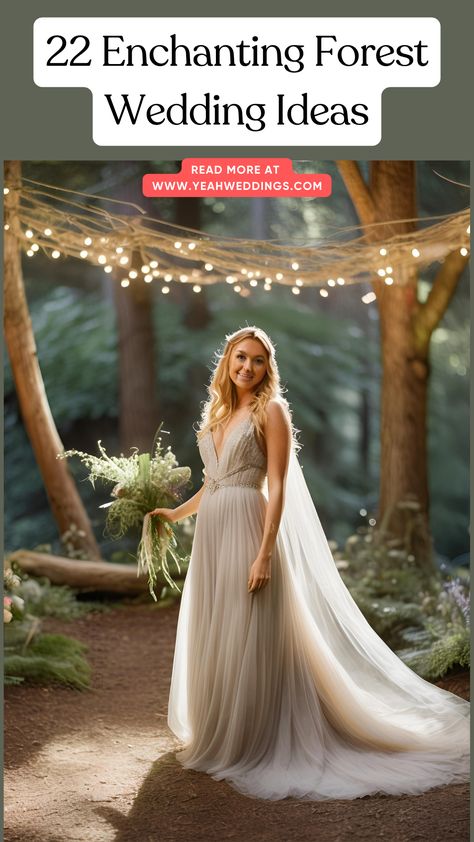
x=404 y=472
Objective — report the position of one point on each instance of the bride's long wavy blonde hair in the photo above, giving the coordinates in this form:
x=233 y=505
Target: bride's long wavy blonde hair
x=222 y=399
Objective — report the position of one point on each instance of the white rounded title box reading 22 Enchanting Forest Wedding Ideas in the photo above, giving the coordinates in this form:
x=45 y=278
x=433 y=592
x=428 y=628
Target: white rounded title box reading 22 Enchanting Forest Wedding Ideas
x=286 y=81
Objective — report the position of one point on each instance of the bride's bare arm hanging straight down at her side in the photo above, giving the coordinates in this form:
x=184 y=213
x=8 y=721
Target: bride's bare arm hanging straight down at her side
x=278 y=441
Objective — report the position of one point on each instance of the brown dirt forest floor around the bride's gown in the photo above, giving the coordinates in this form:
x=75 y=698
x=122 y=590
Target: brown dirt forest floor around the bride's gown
x=99 y=765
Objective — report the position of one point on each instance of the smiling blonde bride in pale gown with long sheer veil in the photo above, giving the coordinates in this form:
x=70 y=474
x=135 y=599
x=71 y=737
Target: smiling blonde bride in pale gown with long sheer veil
x=279 y=684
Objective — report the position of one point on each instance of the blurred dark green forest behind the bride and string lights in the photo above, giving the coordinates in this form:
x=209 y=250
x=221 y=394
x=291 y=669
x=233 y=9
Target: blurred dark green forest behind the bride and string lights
x=328 y=351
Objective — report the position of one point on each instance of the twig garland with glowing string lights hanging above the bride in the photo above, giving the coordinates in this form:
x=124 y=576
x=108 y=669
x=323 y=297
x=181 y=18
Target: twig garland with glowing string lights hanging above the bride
x=65 y=223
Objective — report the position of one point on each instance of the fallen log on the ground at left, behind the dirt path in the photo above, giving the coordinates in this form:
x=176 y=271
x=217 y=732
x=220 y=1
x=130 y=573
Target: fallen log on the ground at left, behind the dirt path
x=85 y=575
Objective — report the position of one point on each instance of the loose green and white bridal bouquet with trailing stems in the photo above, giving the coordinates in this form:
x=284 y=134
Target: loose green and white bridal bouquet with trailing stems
x=141 y=482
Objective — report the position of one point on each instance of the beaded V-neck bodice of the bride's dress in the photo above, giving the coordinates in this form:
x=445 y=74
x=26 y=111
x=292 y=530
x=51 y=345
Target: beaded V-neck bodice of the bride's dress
x=240 y=462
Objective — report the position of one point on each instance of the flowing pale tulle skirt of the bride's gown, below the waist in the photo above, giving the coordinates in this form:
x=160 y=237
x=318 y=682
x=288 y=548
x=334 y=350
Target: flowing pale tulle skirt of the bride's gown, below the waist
x=255 y=696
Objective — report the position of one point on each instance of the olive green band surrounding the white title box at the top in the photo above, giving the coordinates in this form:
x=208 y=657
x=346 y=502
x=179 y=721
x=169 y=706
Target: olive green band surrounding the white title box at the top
x=46 y=123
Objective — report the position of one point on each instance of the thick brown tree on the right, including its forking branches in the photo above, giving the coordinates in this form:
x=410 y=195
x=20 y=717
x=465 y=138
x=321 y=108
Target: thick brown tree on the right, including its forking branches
x=406 y=325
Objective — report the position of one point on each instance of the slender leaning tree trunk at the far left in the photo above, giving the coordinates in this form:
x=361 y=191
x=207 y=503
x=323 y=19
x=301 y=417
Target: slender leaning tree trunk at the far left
x=66 y=505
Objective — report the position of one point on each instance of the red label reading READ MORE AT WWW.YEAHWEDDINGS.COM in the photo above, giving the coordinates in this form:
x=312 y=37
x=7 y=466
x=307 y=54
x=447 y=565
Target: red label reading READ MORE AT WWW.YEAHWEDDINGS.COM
x=237 y=177
